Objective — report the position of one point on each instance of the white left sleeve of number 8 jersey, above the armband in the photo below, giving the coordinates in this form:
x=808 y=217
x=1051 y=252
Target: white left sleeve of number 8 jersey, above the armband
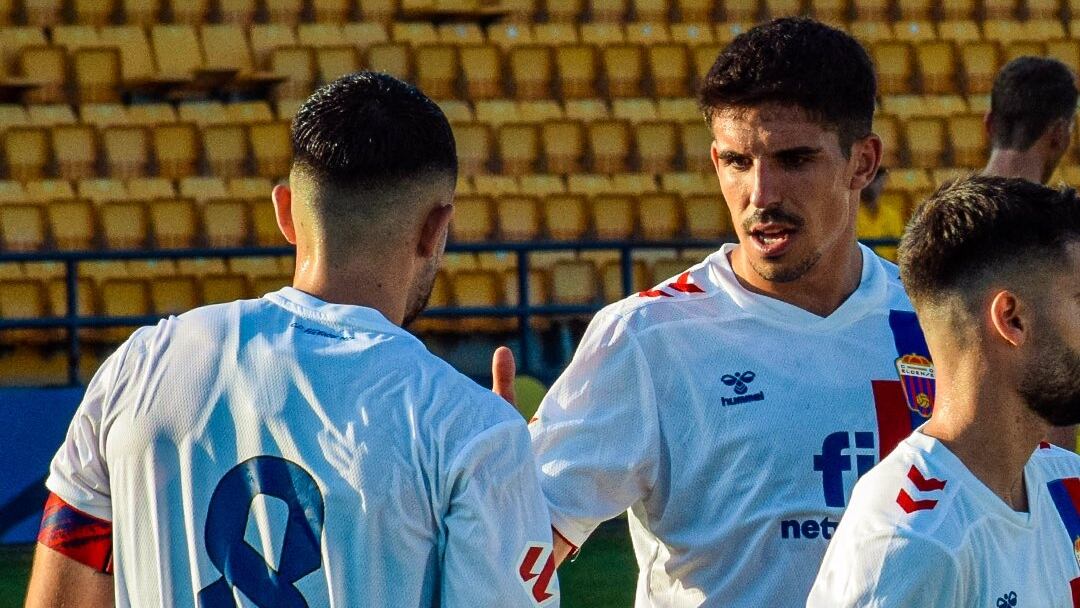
x=79 y=475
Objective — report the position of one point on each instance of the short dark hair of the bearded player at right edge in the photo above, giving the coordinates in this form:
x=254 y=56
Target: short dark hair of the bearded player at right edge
x=982 y=225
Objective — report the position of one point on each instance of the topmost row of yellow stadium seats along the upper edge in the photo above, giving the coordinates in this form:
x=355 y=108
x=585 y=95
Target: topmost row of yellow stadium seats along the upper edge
x=49 y=12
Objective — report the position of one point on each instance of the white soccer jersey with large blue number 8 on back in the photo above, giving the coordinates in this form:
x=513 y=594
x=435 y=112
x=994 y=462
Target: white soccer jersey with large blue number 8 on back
x=289 y=452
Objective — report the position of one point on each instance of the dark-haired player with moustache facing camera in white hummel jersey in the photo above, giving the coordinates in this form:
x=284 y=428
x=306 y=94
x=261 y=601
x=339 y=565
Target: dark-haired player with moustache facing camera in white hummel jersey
x=732 y=409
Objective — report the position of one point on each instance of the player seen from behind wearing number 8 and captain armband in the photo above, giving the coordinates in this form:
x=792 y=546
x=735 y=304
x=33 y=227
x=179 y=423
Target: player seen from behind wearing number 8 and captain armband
x=303 y=449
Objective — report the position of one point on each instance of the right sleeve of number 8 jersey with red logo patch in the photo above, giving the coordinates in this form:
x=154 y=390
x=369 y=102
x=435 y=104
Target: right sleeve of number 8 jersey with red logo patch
x=498 y=548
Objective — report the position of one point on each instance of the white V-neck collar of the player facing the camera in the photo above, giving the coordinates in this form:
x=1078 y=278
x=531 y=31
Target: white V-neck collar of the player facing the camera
x=871 y=295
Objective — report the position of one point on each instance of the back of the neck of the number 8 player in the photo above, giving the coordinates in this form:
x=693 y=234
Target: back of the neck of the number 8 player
x=357 y=285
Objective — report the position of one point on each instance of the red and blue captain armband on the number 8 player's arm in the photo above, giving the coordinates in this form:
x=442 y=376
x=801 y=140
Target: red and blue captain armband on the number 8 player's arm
x=77 y=535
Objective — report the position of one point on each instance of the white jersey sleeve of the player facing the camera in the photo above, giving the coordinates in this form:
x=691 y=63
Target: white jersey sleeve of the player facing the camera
x=597 y=433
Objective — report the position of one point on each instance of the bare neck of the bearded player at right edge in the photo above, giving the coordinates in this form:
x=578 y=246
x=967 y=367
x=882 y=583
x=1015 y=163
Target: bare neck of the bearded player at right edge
x=989 y=428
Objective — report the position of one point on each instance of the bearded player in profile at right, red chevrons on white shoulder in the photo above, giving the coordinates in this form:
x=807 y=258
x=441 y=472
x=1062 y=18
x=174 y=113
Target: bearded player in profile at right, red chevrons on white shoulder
x=963 y=514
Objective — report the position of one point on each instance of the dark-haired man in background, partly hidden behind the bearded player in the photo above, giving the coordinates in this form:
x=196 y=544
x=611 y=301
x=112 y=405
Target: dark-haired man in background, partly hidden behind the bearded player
x=1031 y=123
